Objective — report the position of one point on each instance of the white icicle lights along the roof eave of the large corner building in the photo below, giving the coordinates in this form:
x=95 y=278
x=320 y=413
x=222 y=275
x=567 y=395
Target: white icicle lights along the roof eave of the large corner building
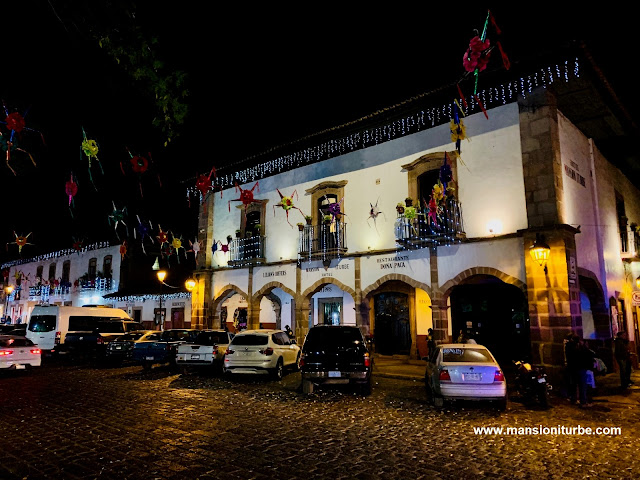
x=418 y=121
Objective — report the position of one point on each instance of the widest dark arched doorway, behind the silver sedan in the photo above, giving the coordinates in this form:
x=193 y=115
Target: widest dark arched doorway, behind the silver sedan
x=494 y=314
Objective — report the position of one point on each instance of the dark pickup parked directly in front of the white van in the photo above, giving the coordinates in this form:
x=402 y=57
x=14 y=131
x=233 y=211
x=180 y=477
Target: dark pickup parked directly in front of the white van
x=93 y=344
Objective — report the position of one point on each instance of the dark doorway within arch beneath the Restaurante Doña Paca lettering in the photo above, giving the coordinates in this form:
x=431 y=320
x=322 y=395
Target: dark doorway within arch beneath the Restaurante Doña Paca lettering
x=392 y=330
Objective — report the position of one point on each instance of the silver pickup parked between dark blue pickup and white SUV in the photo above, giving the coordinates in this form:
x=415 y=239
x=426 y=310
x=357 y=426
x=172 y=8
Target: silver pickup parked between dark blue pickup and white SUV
x=207 y=350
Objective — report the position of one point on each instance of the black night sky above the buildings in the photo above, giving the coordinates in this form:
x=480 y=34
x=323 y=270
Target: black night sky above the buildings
x=259 y=77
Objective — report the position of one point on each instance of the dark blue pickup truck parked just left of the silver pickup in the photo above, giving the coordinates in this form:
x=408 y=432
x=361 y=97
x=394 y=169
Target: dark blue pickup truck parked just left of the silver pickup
x=163 y=350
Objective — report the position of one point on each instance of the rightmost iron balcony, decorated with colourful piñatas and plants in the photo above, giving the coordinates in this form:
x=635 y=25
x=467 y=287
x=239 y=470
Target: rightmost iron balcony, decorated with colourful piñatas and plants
x=422 y=230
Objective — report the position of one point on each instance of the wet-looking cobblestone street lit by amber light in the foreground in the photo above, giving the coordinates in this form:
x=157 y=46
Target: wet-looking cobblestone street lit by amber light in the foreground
x=76 y=422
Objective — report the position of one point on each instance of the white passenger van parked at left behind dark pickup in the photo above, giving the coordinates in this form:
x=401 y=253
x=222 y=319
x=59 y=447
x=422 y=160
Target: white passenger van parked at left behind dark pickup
x=49 y=324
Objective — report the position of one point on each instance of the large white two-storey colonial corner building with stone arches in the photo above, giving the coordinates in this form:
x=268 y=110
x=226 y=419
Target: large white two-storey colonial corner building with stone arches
x=458 y=260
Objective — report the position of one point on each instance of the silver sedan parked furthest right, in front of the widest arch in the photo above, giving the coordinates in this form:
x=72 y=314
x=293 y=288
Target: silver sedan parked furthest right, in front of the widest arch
x=465 y=372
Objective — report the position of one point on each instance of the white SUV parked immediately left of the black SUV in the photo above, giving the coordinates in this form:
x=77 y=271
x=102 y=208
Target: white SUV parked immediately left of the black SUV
x=261 y=352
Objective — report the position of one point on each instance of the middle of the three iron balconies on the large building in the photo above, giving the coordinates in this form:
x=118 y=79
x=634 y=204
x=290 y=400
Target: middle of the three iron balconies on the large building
x=325 y=241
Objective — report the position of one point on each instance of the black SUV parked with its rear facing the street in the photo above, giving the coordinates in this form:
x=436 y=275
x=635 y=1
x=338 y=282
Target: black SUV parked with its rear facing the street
x=335 y=354
